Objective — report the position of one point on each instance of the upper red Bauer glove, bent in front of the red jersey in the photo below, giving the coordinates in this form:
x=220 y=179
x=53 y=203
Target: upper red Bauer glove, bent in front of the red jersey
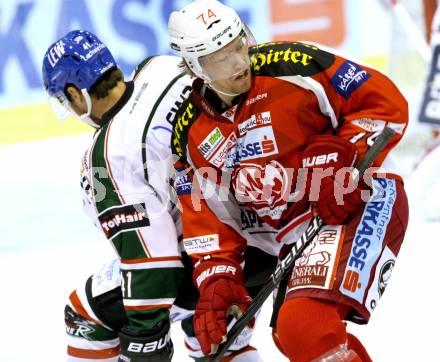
x=333 y=194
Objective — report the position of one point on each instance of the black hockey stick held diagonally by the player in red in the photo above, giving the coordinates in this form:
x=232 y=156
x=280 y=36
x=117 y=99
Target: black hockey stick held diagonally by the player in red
x=285 y=265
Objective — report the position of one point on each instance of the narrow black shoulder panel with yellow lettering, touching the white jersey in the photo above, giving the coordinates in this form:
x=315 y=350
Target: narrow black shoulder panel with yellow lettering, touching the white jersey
x=182 y=122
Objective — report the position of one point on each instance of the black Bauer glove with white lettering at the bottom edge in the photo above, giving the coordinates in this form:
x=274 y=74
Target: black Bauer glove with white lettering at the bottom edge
x=156 y=346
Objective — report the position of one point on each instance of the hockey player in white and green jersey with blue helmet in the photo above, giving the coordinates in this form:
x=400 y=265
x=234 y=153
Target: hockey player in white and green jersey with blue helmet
x=124 y=311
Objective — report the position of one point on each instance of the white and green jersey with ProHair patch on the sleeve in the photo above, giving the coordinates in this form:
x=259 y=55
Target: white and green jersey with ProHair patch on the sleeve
x=125 y=179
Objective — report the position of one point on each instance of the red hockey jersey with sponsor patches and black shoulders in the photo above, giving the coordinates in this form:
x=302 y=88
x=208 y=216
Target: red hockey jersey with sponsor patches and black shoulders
x=251 y=153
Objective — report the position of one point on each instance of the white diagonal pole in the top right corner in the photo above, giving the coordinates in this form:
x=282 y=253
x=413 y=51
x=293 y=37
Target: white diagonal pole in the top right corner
x=411 y=28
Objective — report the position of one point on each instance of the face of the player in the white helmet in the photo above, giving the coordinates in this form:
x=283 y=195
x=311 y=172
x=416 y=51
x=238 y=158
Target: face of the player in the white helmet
x=229 y=68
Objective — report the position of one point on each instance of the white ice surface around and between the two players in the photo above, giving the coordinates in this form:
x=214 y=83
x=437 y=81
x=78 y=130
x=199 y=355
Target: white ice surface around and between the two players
x=49 y=247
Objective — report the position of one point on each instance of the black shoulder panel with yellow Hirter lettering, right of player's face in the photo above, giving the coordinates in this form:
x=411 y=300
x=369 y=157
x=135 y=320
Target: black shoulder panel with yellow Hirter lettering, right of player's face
x=285 y=58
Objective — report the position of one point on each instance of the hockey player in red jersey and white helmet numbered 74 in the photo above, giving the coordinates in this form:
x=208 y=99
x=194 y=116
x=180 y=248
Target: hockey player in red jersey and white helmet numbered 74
x=260 y=121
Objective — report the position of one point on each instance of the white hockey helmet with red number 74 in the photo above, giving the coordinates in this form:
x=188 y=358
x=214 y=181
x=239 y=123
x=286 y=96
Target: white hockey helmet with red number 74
x=202 y=28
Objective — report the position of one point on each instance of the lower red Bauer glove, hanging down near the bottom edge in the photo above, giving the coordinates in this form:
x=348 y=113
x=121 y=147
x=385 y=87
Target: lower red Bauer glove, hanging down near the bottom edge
x=222 y=293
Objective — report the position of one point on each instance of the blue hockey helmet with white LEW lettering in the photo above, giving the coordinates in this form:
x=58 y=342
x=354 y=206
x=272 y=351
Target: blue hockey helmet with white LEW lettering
x=79 y=58
